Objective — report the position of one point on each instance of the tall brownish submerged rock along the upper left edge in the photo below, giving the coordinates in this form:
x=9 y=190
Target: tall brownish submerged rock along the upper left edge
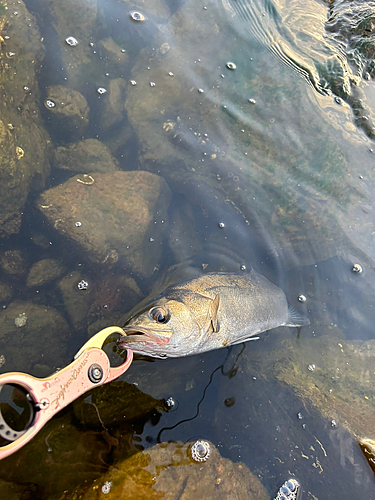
x=24 y=143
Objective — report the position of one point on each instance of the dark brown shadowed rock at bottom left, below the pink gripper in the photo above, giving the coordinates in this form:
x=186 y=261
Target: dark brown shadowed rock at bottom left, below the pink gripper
x=66 y=455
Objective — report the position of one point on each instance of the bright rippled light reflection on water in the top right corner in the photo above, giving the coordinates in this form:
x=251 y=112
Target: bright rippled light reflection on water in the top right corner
x=332 y=50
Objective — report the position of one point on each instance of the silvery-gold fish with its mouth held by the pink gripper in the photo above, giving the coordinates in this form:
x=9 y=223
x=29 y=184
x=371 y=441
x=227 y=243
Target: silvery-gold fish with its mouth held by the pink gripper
x=208 y=312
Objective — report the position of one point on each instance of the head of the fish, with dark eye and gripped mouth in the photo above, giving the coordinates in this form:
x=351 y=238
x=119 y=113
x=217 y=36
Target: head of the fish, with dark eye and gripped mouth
x=166 y=328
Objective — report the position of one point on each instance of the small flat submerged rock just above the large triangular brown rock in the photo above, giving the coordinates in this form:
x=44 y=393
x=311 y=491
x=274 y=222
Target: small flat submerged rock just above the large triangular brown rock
x=85 y=156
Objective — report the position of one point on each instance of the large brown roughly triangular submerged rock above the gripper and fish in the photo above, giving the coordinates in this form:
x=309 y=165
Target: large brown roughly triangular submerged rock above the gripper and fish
x=122 y=216
